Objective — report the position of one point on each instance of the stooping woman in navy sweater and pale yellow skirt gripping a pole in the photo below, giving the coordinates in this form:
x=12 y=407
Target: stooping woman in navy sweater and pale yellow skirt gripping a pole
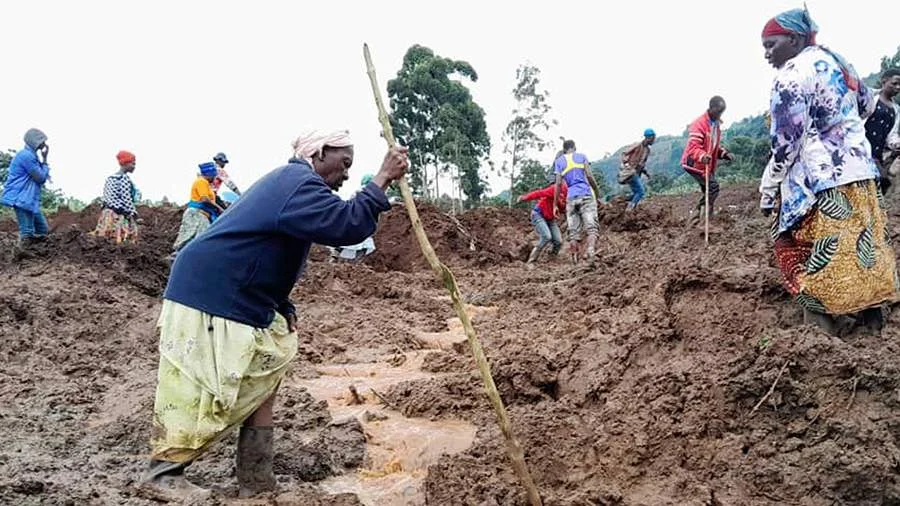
x=227 y=322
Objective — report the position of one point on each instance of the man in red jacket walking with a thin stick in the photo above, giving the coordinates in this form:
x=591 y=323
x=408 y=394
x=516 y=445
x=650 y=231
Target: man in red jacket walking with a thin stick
x=704 y=150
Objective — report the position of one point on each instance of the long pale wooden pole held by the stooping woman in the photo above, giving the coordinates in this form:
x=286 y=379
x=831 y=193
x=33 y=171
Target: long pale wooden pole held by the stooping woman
x=516 y=455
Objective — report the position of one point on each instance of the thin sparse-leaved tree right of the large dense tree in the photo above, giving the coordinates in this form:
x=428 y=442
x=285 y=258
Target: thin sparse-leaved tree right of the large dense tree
x=524 y=133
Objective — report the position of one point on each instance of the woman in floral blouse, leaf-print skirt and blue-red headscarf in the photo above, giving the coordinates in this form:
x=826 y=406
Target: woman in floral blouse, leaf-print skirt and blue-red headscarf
x=830 y=229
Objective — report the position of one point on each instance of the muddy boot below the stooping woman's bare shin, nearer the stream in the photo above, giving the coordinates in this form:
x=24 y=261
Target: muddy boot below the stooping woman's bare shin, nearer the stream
x=254 y=461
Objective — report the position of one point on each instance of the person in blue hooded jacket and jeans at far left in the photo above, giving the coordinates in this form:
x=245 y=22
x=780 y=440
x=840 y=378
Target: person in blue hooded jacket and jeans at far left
x=22 y=191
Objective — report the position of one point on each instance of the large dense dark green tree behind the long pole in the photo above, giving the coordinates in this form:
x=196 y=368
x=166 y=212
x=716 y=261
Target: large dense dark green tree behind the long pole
x=435 y=116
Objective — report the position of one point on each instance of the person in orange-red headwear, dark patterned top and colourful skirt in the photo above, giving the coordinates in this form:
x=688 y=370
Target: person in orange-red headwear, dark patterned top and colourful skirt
x=118 y=216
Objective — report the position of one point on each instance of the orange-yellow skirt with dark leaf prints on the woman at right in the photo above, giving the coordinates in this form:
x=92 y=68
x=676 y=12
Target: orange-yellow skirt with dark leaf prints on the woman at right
x=839 y=259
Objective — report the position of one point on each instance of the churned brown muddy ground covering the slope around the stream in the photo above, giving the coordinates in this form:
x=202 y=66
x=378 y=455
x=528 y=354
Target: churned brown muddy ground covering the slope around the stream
x=632 y=384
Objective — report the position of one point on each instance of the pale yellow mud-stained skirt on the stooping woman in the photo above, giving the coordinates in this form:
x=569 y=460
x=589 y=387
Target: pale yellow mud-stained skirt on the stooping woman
x=213 y=374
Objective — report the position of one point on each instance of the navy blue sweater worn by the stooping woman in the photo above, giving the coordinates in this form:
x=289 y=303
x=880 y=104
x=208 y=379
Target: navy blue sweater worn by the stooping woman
x=245 y=265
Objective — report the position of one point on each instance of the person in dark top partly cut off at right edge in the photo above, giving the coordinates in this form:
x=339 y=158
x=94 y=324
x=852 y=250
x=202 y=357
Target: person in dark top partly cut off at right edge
x=882 y=126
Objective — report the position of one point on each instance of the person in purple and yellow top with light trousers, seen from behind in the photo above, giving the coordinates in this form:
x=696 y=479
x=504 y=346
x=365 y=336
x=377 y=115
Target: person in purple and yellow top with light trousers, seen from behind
x=581 y=205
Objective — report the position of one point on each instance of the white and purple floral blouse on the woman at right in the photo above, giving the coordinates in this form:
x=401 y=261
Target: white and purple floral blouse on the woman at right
x=818 y=135
